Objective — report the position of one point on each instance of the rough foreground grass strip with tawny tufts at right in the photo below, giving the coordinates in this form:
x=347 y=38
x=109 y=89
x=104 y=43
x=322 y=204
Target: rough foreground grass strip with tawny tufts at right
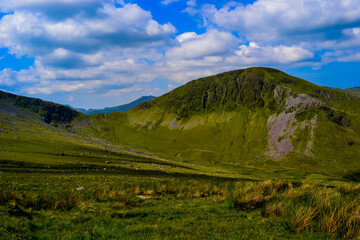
x=76 y=206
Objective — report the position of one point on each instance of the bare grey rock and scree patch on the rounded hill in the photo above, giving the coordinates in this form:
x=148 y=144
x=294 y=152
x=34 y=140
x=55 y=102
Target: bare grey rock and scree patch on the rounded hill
x=283 y=126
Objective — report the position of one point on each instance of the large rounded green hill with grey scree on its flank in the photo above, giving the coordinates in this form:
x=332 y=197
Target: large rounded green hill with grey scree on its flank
x=246 y=120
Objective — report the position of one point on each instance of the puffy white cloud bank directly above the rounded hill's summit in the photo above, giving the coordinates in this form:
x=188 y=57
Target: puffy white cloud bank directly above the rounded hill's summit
x=217 y=51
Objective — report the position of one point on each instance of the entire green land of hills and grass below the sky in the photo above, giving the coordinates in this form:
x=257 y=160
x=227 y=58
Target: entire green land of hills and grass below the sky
x=247 y=154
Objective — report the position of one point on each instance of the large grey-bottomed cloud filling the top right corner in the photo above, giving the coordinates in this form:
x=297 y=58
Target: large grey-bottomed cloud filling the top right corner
x=278 y=20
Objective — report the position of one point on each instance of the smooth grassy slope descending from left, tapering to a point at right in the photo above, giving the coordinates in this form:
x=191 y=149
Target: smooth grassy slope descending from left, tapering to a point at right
x=28 y=146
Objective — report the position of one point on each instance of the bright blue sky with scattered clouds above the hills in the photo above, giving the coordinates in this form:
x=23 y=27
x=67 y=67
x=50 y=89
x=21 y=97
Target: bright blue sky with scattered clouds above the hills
x=98 y=53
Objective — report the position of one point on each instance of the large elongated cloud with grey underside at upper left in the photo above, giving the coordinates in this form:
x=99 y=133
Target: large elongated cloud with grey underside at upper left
x=29 y=33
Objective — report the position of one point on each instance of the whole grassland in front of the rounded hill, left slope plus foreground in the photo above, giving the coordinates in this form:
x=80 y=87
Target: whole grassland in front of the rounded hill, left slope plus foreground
x=57 y=185
